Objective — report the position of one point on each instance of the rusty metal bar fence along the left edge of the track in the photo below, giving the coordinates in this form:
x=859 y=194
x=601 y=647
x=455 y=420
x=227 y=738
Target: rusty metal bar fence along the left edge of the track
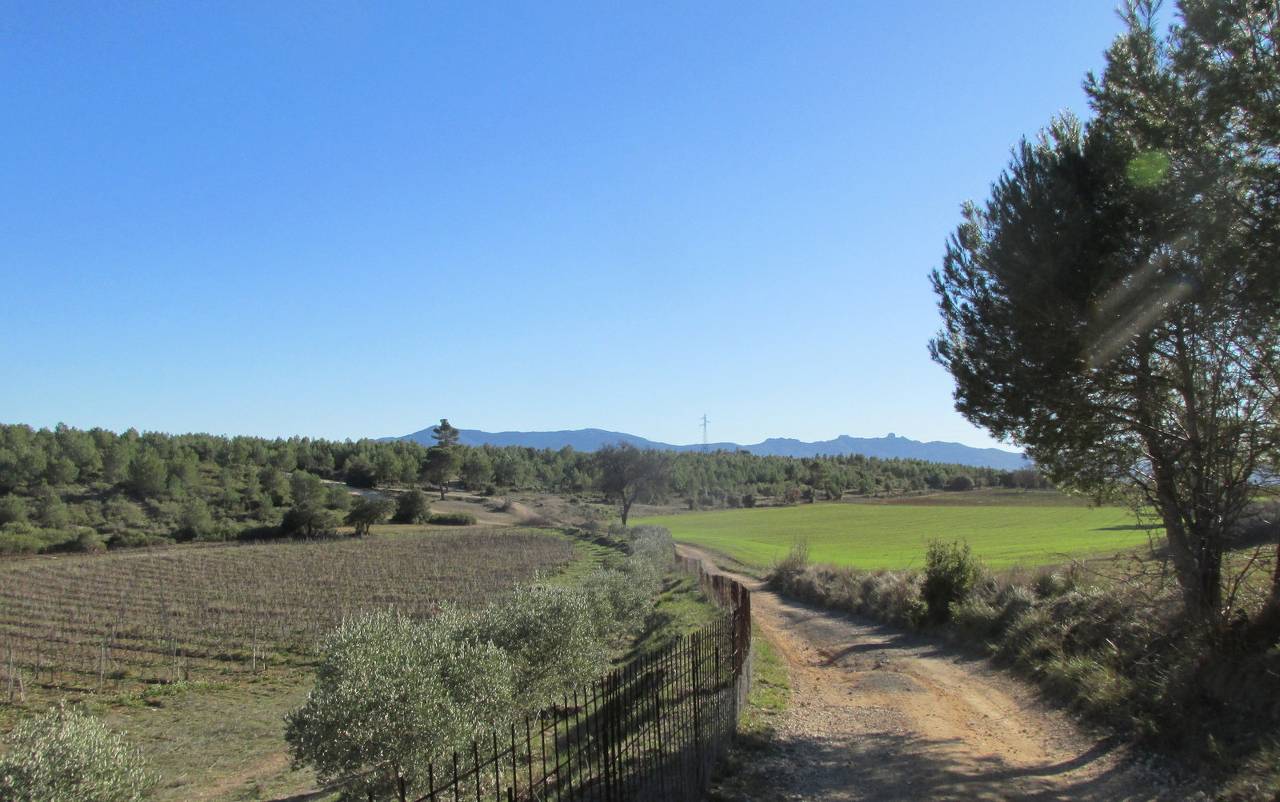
x=650 y=731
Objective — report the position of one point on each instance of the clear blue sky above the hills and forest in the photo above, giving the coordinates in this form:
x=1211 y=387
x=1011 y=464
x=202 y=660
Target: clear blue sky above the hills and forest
x=345 y=219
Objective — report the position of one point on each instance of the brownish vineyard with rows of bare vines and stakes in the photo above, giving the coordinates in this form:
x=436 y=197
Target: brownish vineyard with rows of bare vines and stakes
x=121 y=621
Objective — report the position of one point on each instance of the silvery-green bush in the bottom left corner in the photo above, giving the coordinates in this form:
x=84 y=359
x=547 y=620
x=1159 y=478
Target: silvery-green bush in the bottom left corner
x=70 y=757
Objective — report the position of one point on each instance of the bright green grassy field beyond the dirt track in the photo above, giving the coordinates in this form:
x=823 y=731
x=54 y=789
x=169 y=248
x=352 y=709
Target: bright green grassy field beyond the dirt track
x=1004 y=530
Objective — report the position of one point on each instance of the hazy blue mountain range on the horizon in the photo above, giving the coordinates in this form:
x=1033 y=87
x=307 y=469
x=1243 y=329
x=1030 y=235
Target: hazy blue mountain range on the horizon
x=886 y=448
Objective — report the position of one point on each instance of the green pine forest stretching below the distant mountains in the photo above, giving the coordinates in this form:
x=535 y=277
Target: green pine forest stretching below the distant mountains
x=68 y=489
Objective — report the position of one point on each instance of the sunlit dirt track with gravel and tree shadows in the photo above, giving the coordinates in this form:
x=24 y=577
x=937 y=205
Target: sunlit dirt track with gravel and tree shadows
x=880 y=714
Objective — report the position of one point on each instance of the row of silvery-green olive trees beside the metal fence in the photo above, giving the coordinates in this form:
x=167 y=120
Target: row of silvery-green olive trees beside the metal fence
x=395 y=695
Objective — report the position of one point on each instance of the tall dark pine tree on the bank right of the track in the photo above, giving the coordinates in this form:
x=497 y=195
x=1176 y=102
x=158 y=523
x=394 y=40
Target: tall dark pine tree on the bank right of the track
x=1113 y=306
